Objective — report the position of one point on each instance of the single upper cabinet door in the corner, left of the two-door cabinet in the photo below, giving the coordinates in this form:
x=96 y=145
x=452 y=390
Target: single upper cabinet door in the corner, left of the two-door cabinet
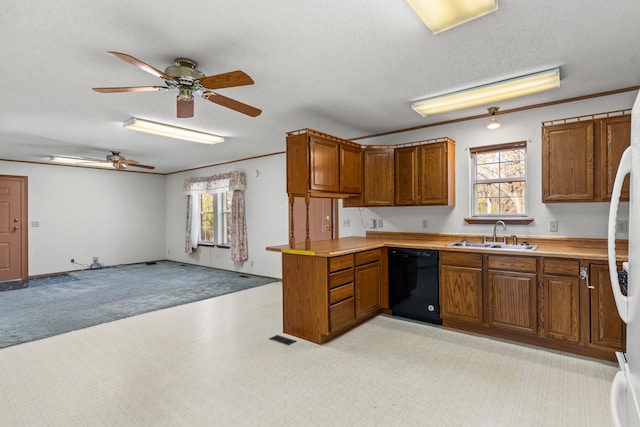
x=378 y=177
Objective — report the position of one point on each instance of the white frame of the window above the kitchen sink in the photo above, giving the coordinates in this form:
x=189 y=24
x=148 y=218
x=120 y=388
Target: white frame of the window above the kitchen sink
x=473 y=181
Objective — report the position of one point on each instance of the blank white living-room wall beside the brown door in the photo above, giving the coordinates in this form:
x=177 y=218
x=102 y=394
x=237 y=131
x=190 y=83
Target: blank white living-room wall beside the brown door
x=117 y=216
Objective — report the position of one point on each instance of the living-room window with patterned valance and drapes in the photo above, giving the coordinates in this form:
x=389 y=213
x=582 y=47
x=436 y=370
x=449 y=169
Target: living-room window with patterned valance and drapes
x=232 y=224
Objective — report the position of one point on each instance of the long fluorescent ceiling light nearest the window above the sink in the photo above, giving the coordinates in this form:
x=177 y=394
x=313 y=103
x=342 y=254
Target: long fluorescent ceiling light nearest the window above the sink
x=490 y=93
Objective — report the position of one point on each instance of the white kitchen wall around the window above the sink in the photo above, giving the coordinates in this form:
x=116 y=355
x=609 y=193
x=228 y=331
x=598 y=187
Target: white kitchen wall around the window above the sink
x=574 y=219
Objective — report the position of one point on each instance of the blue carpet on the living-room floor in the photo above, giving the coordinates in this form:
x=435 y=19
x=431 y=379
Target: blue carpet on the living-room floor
x=92 y=297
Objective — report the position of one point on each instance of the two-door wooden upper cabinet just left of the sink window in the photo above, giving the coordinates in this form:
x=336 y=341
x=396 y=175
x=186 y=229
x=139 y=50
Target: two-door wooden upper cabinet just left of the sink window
x=425 y=174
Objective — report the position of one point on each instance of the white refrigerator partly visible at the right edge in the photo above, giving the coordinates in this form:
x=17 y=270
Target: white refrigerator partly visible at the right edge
x=625 y=390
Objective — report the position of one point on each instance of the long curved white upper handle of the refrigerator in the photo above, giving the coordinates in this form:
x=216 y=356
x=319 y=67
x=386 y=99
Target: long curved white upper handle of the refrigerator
x=623 y=170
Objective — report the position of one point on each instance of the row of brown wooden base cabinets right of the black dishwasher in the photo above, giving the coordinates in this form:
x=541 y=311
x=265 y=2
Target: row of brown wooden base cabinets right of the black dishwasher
x=560 y=303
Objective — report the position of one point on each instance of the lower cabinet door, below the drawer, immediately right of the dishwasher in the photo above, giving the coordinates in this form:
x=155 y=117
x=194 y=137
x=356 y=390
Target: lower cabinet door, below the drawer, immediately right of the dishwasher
x=461 y=294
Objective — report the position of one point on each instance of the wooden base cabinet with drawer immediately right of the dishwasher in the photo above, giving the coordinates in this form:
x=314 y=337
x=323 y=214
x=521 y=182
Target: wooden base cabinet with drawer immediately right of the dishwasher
x=461 y=287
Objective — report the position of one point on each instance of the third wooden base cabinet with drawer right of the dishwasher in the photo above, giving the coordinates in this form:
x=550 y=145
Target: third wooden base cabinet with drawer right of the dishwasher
x=561 y=299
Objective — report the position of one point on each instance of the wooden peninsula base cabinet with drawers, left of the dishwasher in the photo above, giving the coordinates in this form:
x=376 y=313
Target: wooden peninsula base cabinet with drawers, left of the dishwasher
x=323 y=297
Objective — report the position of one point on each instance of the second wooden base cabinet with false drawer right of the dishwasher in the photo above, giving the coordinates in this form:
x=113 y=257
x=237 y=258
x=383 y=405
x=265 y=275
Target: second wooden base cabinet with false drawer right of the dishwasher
x=512 y=293
